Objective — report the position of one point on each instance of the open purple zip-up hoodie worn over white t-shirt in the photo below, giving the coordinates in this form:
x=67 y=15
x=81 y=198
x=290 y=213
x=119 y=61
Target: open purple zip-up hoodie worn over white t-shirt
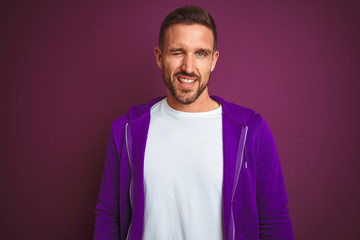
x=254 y=195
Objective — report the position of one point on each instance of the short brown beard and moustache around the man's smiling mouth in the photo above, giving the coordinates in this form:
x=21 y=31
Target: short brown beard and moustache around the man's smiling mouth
x=185 y=96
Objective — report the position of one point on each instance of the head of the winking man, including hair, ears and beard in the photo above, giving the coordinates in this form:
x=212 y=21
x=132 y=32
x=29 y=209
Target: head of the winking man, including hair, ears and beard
x=187 y=53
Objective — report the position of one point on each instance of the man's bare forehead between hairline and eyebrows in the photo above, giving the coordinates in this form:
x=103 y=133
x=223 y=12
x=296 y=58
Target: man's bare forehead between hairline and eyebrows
x=185 y=35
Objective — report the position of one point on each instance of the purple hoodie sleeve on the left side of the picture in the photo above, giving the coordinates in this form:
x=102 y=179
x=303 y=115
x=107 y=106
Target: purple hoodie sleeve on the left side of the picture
x=107 y=210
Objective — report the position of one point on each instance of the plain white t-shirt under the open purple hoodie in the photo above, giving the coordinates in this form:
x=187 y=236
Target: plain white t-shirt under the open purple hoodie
x=183 y=175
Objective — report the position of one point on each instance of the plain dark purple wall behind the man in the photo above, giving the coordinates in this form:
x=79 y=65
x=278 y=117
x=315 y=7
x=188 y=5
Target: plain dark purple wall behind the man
x=69 y=68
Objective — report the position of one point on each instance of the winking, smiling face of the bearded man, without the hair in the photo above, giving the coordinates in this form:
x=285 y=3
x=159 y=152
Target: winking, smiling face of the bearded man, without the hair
x=187 y=58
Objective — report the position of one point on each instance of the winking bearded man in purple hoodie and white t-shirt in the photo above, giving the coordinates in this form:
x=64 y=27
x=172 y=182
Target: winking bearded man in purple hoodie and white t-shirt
x=191 y=166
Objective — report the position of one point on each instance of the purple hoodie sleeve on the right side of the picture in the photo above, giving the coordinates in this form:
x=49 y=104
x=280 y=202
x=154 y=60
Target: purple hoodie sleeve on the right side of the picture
x=271 y=197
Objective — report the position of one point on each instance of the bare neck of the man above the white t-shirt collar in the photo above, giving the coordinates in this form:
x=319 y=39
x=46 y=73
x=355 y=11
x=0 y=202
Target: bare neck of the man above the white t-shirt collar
x=203 y=104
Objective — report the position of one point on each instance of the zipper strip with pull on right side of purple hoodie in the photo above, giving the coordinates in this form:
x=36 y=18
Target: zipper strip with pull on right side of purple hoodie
x=241 y=151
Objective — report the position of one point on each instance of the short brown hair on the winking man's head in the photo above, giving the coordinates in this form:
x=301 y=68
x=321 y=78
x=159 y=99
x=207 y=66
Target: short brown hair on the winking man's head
x=188 y=14
